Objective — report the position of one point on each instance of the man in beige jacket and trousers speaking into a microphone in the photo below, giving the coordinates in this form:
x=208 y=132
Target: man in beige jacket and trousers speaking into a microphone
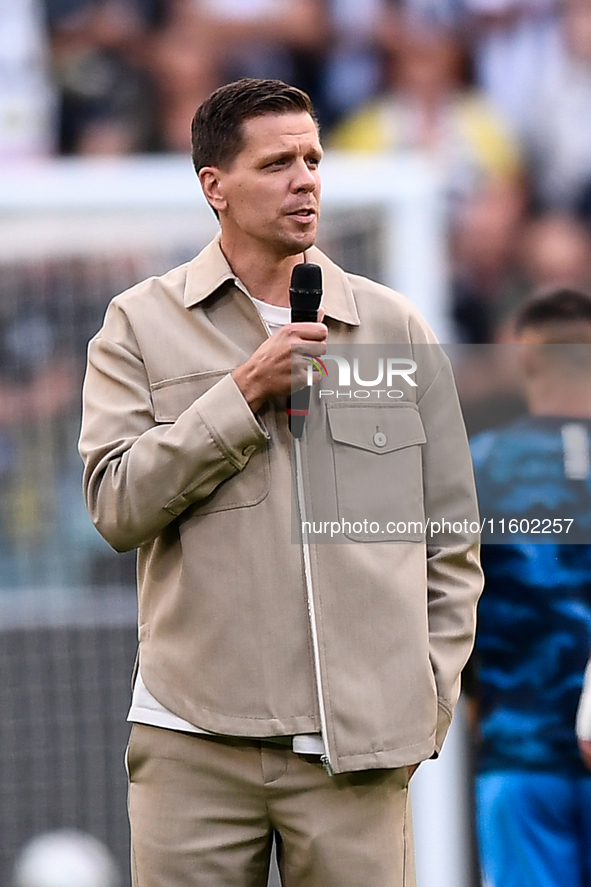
x=285 y=685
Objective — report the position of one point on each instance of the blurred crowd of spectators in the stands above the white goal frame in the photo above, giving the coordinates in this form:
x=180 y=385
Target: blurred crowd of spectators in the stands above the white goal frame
x=496 y=92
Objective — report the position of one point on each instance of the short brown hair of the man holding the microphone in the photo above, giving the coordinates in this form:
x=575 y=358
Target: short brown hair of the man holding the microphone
x=217 y=134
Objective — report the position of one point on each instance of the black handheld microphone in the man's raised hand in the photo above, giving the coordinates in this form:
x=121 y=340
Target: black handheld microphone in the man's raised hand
x=305 y=295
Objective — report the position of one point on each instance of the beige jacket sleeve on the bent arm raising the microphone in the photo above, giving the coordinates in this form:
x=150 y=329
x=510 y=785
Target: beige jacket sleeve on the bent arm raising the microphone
x=140 y=474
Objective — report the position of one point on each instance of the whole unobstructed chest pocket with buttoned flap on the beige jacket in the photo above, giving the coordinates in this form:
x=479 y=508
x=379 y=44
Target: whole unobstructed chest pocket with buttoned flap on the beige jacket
x=378 y=470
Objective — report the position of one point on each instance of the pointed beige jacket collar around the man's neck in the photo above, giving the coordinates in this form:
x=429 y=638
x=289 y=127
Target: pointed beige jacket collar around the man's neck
x=210 y=269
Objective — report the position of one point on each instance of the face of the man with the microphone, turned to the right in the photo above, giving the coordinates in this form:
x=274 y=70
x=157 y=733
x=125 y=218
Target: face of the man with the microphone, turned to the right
x=268 y=198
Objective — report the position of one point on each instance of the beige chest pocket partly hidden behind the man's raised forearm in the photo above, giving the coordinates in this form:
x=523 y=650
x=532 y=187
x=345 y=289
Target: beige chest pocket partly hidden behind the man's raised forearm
x=248 y=486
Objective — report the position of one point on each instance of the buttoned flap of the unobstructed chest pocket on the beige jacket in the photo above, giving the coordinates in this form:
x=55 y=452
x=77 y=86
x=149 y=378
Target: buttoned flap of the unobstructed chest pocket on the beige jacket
x=379 y=428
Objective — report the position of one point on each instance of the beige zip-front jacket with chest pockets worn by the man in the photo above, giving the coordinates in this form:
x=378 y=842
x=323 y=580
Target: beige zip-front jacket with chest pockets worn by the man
x=243 y=629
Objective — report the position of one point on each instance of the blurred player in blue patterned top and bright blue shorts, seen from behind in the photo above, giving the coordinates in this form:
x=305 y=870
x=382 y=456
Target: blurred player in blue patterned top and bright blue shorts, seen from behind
x=533 y=791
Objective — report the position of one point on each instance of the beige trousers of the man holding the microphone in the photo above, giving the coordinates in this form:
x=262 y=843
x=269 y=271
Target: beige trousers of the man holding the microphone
x=203 y=813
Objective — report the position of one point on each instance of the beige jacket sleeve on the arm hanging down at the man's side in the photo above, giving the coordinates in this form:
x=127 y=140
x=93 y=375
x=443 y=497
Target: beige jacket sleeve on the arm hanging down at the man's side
x=454 y=576
